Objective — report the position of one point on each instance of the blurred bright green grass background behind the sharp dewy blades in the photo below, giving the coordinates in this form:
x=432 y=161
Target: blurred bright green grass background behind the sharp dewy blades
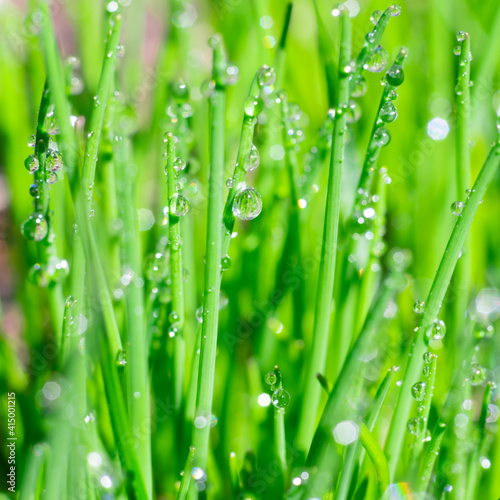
x=165 y=41
